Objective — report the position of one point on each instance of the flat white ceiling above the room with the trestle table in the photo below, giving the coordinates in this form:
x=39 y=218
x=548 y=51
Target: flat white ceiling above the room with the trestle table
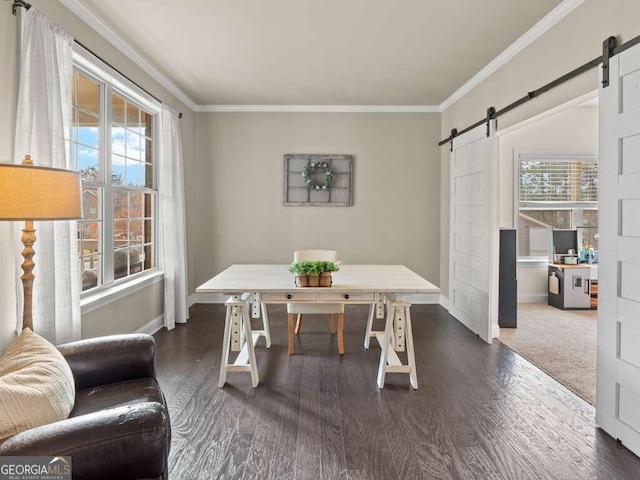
x=319 y=52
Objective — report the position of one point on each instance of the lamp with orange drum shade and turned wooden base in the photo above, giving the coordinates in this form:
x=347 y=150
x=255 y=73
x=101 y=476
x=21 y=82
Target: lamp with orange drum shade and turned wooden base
x=33 y=193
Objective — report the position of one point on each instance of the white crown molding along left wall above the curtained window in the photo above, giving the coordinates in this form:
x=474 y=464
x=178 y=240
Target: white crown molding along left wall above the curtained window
x=103 y=29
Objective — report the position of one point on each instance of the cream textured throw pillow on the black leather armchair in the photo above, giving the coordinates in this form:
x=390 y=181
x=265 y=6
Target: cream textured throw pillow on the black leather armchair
x=36 y=385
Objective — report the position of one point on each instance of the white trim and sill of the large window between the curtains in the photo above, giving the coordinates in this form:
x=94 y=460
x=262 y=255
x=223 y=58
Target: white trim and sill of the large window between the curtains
x=104 y=294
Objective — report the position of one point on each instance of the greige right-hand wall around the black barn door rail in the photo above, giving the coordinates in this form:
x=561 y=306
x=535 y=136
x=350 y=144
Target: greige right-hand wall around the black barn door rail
x=572 y=42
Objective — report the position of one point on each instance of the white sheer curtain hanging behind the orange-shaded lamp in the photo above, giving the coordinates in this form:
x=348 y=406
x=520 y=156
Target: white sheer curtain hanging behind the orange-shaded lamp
x=43 y=122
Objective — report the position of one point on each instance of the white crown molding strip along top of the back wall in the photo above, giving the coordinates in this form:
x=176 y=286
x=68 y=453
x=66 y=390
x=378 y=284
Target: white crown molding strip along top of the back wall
x=321 y=108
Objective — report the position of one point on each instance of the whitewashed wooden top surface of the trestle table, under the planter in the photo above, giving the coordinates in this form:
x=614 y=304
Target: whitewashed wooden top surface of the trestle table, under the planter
x=353 y=278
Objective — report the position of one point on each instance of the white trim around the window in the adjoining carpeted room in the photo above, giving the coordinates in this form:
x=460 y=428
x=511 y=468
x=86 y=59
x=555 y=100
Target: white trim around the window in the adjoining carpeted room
x=535 y=154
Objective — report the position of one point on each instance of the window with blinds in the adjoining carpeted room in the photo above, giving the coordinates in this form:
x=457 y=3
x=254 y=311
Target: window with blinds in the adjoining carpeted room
x=555 y=192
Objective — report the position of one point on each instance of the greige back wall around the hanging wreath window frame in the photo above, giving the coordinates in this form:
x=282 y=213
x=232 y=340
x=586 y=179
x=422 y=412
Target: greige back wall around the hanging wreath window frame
x=395 y=215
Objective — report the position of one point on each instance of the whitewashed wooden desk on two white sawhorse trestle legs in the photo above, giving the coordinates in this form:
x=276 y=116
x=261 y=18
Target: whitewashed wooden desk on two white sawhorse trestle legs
x=252 y=286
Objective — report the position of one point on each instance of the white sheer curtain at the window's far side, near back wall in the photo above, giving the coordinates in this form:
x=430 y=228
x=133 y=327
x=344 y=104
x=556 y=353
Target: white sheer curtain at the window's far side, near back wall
x=172 y=244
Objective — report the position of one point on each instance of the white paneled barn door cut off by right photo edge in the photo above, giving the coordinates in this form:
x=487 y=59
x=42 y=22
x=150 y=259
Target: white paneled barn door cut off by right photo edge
x=618 y=374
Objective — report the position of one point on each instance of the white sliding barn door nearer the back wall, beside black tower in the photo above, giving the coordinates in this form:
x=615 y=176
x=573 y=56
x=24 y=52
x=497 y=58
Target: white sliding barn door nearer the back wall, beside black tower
x=472 y=250
